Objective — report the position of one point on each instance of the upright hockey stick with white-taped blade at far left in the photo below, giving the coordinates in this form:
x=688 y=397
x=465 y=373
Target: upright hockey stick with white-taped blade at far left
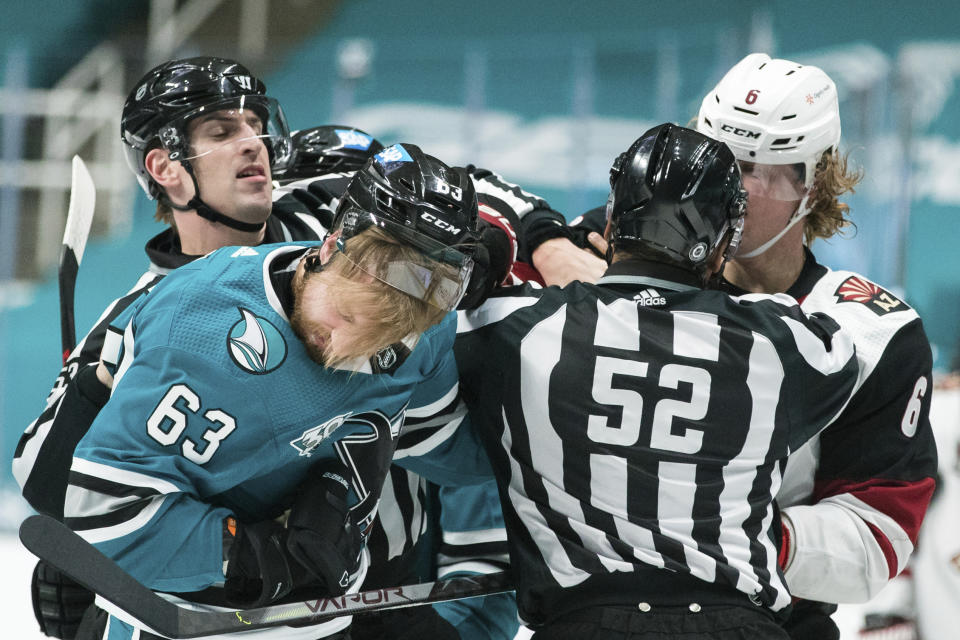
x=83 y=197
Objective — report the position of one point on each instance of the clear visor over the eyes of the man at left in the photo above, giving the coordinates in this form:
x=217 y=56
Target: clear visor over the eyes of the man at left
x=210 y=128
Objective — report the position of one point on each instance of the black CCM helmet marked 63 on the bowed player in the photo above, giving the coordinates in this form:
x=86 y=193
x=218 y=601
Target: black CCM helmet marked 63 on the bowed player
x=423 y=203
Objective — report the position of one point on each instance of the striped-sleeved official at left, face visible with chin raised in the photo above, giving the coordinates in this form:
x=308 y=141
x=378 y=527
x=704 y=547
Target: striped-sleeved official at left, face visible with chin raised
x=230 y=190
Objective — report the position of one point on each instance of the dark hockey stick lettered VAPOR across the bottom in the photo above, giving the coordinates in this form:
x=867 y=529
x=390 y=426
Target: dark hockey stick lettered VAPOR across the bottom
x=55 y=543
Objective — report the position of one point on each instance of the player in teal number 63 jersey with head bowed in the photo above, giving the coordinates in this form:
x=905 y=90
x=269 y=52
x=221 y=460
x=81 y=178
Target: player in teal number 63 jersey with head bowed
x=259 y=379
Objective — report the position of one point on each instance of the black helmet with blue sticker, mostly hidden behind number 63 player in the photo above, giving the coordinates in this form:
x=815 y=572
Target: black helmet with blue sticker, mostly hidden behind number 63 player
x=328 y=149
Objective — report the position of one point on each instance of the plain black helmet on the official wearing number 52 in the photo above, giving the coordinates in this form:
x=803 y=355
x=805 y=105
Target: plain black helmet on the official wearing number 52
x=675 y=196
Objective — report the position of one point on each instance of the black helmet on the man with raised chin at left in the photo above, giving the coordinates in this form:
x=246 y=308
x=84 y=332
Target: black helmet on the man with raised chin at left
x=172 y=94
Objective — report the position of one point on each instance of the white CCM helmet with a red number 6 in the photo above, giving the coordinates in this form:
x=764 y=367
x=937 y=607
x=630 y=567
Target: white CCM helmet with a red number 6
x=773 y=111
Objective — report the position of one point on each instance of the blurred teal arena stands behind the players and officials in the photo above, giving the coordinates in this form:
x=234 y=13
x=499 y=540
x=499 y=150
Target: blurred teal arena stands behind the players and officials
x=547 y=94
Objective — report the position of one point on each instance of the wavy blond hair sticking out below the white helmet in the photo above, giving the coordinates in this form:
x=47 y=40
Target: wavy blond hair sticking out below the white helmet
x=832 y=178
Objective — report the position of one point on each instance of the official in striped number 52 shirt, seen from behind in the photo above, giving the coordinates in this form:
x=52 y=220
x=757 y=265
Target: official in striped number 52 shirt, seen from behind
x=638 y=427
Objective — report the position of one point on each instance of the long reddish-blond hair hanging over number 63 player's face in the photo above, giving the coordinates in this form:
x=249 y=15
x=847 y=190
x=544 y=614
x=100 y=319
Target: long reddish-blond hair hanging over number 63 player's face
x=392 y=314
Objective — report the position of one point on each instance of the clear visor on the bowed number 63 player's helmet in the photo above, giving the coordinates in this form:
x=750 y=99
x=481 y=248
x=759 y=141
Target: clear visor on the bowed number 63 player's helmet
x=437 y=274
